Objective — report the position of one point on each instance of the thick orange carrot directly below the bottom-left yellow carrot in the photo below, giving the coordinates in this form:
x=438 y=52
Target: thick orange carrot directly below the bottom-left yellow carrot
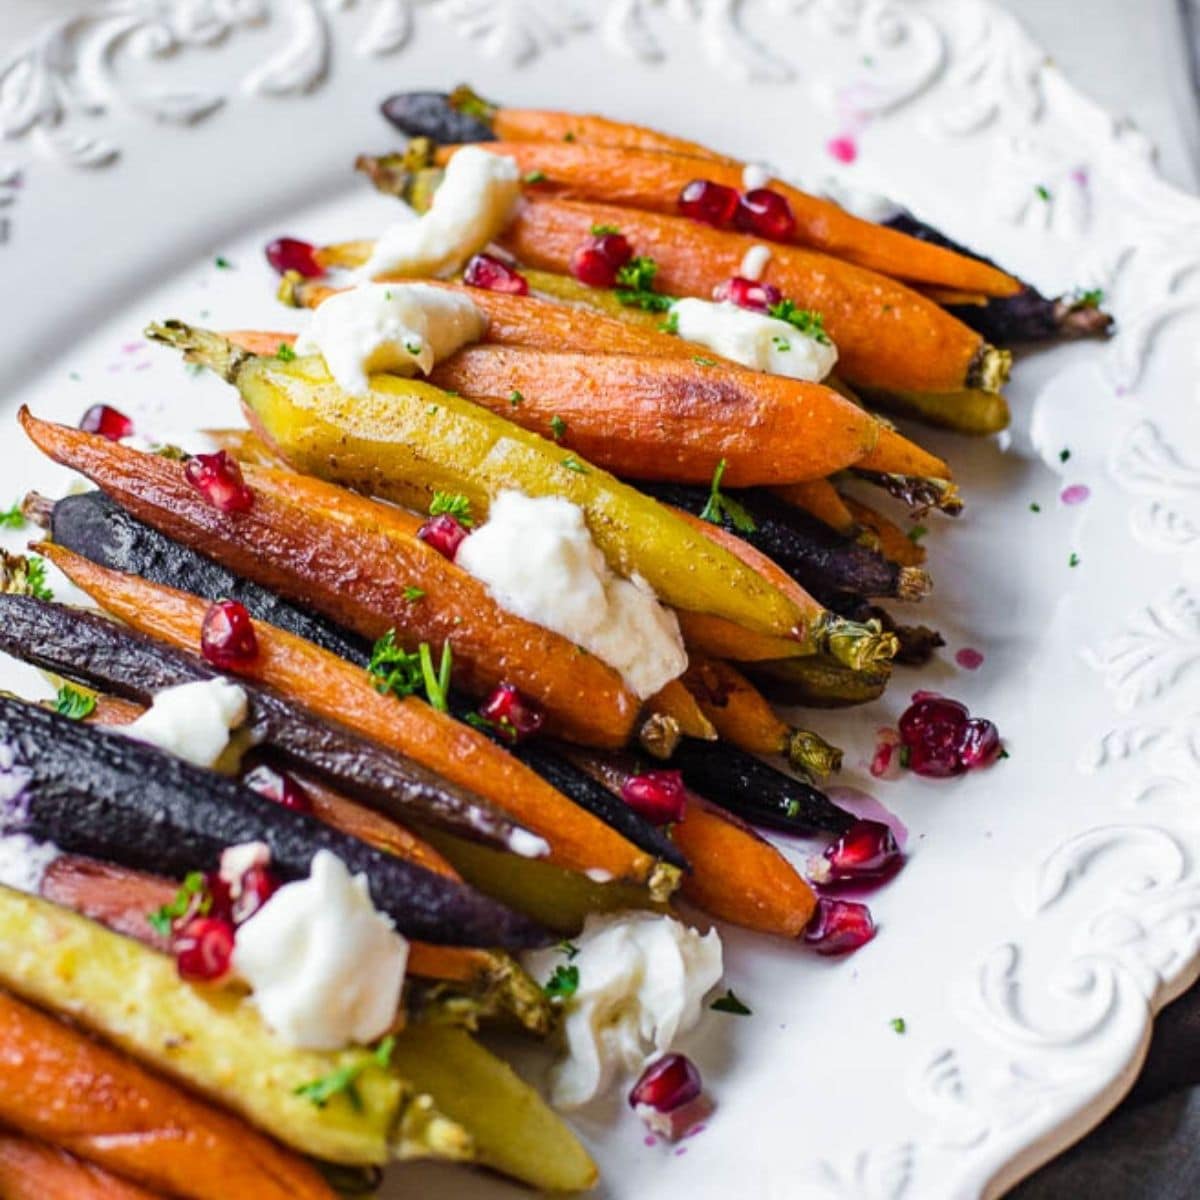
x=111 y=1112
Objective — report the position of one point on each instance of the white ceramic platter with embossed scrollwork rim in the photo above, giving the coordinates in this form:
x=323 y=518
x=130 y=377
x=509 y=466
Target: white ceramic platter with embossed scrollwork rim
x=1051 y=905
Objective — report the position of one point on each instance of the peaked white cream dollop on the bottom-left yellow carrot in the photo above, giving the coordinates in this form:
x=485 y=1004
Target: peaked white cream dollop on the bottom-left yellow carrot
x=325 y=965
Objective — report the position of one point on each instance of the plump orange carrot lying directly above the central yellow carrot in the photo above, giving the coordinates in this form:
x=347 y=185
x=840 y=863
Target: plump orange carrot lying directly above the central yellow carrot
x=657 y=418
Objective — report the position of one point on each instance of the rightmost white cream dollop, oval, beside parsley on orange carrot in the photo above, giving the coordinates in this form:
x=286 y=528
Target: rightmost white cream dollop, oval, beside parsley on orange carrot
x=754 y=339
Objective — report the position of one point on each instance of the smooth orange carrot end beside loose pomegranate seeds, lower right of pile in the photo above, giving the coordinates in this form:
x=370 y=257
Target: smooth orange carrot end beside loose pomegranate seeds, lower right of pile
x=739 y=877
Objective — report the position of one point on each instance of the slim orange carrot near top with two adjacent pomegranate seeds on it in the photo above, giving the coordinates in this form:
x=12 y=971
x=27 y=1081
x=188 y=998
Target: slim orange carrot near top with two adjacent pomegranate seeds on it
x=652 y=181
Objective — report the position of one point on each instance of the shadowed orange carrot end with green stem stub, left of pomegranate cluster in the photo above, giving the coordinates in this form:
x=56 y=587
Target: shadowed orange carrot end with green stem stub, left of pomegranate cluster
x=743 y=717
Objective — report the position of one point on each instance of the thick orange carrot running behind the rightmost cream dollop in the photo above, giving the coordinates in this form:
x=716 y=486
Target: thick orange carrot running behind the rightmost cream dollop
x=887 y=335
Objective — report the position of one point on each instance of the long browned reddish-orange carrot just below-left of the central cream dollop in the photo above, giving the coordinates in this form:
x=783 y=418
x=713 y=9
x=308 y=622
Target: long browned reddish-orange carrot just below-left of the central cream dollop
x=298 y=541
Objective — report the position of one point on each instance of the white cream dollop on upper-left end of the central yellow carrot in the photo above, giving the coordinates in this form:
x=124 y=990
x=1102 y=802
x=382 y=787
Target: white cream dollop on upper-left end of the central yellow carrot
x=403 y=328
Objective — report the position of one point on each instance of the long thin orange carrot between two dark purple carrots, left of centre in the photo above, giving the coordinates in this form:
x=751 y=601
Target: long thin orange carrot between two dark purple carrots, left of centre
x=339 y=692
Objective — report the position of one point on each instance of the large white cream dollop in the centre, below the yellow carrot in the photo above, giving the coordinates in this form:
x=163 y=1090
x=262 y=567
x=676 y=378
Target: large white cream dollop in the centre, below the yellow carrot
x=539 y=562
